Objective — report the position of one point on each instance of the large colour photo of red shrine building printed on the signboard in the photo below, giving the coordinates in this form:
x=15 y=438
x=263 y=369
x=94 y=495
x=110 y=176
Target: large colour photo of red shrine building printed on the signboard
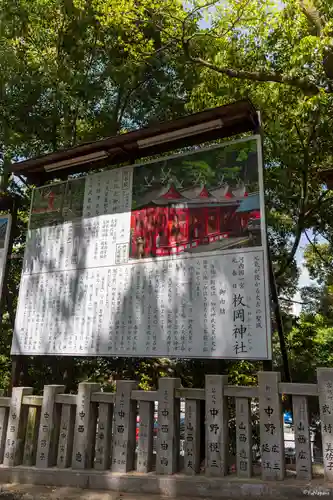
x=203 y=201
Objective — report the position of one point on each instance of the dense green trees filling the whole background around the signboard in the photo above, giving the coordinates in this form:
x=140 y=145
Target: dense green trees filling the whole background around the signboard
x=79 y=70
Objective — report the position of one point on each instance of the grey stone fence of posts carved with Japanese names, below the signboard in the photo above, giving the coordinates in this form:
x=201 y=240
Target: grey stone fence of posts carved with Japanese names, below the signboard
x=95 y=431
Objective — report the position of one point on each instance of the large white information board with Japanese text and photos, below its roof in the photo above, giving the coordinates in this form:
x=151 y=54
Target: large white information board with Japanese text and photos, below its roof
x=166 y=258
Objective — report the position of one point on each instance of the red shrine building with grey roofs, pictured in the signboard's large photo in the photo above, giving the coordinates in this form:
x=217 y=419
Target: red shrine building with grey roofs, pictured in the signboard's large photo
x=168 y=220
